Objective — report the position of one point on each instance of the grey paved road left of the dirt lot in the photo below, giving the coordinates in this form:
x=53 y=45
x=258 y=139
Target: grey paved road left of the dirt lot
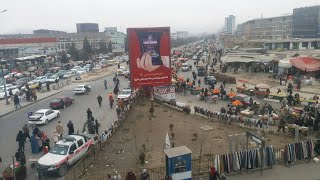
x=12 y=123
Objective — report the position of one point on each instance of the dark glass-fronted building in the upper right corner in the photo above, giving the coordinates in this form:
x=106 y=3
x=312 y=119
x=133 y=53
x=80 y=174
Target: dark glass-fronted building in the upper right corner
x=306 y=22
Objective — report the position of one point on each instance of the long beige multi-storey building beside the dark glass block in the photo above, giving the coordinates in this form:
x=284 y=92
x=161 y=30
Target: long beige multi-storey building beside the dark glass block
x=268 y=28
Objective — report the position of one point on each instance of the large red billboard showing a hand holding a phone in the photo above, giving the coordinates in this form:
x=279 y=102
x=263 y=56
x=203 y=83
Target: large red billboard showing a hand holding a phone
x=149 y=54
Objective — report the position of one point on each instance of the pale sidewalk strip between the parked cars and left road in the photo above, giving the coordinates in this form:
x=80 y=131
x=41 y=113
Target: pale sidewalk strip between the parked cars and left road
x=7 y=109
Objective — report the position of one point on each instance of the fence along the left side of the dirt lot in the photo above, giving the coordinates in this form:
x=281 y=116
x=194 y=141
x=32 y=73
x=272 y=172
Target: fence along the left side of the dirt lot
x=81 y=166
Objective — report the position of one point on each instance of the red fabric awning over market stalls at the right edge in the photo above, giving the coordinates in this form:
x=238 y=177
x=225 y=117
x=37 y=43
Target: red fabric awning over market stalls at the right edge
x=308 y=64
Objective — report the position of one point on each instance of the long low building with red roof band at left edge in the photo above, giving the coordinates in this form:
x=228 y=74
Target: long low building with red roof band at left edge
x=17 y=47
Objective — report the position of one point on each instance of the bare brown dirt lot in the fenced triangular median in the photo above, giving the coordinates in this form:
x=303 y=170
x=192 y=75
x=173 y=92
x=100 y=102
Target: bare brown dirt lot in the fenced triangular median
x=140 y=133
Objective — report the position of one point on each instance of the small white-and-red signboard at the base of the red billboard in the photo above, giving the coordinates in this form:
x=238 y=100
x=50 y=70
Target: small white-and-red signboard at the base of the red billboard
x=165 y=93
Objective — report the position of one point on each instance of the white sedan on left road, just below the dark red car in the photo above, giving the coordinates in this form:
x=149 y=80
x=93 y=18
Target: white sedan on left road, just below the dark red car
x=43 y=116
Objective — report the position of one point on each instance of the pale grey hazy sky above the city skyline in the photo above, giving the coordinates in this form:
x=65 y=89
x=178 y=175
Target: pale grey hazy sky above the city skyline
x=195 y=16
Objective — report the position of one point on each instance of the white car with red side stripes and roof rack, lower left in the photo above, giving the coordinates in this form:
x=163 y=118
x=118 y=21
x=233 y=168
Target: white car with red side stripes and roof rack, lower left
x=65 y=153
